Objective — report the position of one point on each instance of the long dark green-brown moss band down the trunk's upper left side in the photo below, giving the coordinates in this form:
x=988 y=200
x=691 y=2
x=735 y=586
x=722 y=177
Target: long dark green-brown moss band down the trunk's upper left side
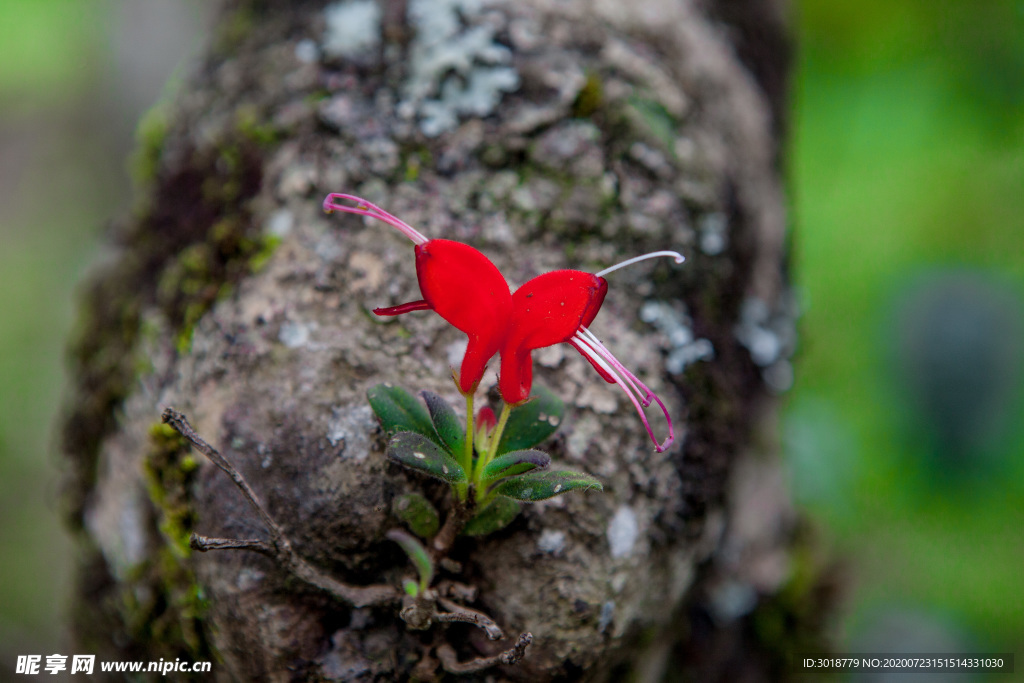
x=193 y=236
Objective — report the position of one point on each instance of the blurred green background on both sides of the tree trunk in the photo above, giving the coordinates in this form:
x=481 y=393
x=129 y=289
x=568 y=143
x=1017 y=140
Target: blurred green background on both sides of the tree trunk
x=907 y=178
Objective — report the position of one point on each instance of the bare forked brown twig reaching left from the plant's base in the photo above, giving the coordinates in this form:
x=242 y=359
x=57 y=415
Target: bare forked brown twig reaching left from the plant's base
x=281 y=548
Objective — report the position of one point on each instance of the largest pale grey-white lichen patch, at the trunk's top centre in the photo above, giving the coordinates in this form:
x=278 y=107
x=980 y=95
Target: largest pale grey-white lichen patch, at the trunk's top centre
x=457 y=67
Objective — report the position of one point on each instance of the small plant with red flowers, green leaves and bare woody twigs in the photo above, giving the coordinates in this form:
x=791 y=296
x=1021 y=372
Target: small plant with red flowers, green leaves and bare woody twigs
x=489 y=461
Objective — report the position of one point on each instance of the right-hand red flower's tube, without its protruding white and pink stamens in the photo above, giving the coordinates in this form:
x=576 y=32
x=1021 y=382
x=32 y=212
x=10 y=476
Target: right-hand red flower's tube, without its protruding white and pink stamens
x=546 y=311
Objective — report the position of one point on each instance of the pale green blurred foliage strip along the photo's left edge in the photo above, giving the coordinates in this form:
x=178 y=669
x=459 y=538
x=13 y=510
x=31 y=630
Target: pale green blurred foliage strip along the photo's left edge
x=50 y=73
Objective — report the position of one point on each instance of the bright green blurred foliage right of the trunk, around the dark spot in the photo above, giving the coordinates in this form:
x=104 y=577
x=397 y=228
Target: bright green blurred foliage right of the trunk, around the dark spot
x=907 y=163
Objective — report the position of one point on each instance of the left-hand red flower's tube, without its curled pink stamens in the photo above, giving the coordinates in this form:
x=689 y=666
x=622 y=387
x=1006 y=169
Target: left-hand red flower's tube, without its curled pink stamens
x=468 y=291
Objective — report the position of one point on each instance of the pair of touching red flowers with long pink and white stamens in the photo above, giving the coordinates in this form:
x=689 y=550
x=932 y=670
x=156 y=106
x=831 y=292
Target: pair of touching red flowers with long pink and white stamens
x=468 y=291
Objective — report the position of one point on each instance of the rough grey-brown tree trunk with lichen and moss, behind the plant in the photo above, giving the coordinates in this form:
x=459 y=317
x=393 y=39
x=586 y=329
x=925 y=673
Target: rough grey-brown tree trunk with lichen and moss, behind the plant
x=549 y=135
